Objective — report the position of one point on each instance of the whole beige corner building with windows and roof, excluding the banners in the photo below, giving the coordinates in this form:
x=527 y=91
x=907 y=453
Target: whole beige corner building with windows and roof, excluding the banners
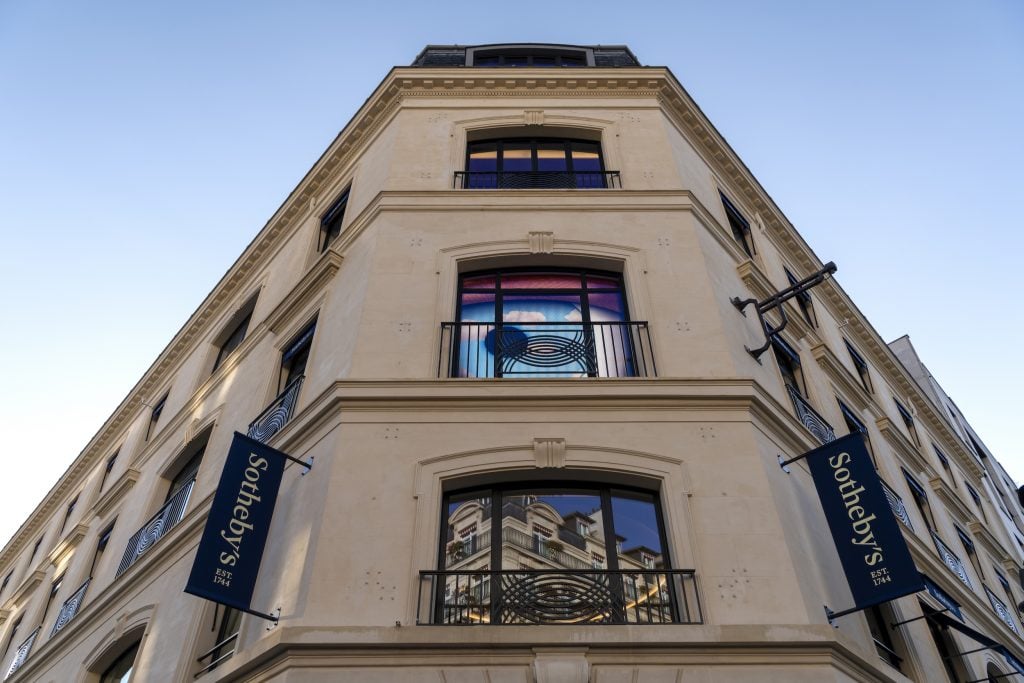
x=497 y=317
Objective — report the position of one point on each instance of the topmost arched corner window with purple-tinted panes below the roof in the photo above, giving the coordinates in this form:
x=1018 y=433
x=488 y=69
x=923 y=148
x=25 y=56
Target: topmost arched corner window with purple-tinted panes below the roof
x=534 y=163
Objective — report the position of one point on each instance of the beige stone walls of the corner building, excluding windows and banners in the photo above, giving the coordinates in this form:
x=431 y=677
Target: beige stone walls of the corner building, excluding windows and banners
x=389 y=437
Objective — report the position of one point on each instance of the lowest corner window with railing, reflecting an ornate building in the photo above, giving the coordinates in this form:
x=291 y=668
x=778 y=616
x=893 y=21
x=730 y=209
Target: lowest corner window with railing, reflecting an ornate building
x=538 y=553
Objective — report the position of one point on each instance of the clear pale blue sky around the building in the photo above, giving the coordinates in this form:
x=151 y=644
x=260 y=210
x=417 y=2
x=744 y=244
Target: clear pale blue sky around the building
x=144 y=145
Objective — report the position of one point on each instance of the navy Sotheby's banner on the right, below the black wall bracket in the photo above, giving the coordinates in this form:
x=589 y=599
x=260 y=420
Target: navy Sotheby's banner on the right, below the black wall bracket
x=872 y=548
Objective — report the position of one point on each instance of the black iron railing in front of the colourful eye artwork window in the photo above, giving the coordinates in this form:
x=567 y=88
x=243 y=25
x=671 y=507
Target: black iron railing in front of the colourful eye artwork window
x=546 y=350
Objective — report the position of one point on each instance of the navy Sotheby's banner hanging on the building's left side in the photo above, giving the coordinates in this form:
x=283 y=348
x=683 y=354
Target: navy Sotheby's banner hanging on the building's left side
x=232 y=548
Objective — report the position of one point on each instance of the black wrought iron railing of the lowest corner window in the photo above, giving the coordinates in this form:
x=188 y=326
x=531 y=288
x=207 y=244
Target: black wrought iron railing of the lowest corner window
x=553 y=597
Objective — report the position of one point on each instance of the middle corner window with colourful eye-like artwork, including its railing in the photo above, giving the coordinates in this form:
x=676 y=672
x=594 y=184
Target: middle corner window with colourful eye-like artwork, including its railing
x=546 y=323
